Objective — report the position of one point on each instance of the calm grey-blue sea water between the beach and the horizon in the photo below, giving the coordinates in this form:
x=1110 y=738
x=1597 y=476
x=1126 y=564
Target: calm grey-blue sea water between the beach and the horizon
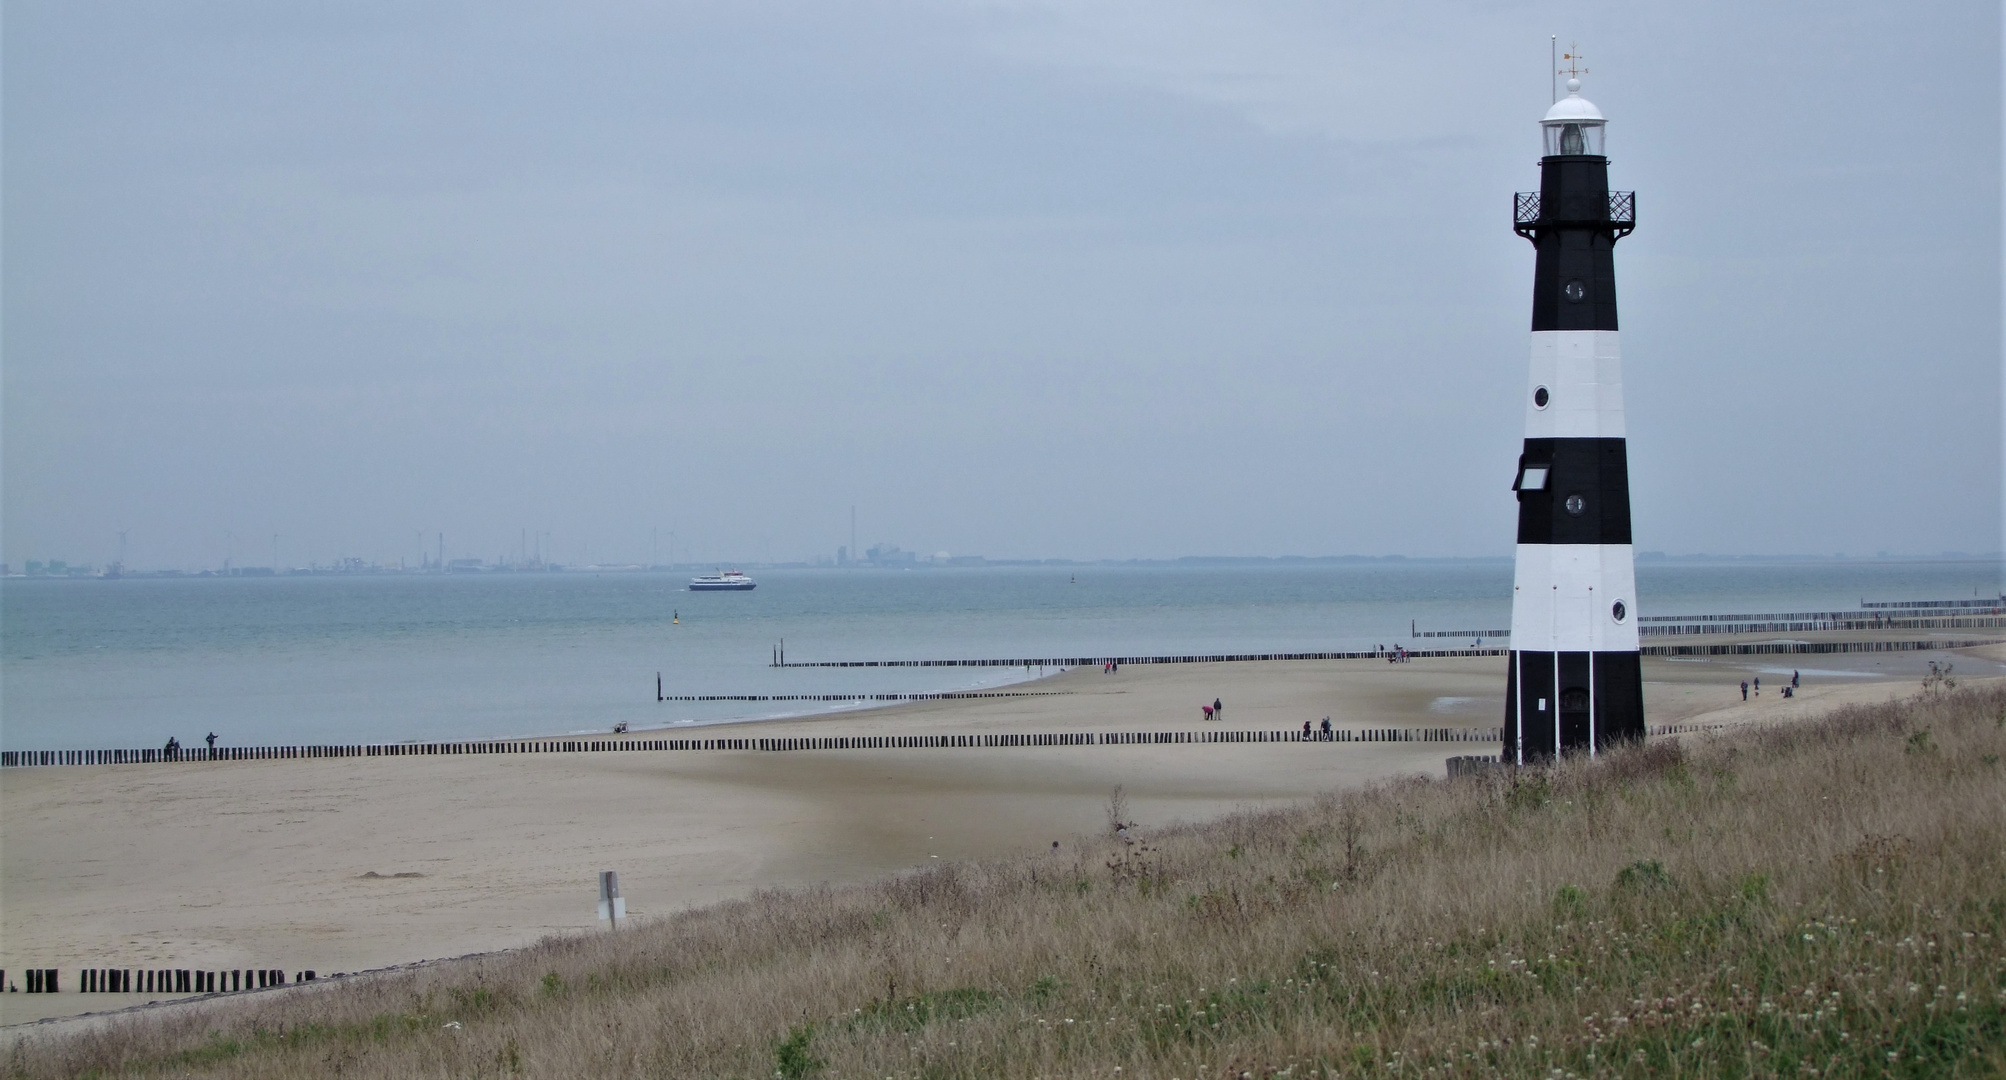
x=374 y=659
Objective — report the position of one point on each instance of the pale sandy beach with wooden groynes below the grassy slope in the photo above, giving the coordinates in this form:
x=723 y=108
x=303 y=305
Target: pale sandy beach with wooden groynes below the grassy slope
x=296 y=864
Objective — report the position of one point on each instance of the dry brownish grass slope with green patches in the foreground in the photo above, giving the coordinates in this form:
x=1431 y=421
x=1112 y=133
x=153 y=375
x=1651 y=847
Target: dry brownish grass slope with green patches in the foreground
x=1826 y=898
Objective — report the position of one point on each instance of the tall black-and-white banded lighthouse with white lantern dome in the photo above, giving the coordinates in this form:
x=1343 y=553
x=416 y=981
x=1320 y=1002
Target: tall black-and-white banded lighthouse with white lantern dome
x=1576 y=682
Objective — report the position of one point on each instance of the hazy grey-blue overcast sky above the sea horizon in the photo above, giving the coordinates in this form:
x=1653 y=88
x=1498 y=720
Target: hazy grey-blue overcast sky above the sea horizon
x=1012 y=278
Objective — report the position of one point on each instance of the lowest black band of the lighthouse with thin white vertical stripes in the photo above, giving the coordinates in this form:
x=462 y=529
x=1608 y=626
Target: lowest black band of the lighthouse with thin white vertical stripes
x=1572 y=702
